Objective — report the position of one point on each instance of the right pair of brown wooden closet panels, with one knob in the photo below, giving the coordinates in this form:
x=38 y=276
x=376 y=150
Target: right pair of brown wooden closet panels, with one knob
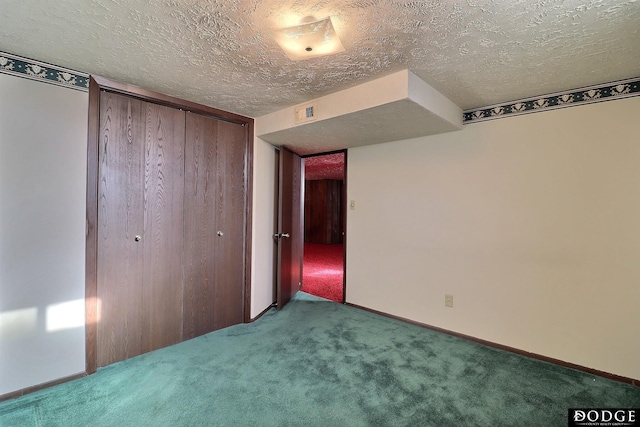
x=215 y=210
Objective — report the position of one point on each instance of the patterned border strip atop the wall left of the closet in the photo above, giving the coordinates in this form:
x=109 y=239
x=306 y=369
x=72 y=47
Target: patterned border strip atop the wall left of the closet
x=41 y=71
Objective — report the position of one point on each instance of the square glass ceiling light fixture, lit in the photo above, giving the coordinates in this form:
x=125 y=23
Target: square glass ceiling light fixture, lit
x=309 y=39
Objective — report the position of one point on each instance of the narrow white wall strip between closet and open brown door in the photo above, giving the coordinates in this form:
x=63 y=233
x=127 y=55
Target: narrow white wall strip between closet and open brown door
x=263 y=220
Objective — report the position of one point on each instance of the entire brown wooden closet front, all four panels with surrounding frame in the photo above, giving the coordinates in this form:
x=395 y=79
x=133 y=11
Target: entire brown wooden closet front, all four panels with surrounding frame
x=171 y=221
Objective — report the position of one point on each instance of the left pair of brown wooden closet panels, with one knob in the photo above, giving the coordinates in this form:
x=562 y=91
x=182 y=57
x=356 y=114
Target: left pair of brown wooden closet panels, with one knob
x=139 y=232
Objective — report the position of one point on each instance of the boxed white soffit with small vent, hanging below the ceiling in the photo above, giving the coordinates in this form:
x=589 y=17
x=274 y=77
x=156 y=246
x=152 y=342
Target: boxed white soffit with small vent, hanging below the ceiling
x=396 y=107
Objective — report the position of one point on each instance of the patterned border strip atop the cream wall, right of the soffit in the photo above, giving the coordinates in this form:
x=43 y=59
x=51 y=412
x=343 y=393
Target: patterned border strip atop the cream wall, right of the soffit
x=587 y=95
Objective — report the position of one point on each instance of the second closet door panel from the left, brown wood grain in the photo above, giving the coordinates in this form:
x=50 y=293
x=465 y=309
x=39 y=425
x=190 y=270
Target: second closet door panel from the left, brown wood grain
x=163 y=192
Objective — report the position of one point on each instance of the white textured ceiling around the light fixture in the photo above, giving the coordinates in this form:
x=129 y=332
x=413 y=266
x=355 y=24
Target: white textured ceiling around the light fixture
x=220 y=52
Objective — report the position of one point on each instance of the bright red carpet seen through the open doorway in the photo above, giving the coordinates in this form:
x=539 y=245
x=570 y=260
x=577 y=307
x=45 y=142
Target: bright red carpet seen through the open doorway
x=323 y=270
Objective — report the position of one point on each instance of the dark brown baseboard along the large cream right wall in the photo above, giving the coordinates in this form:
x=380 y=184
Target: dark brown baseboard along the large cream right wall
x=614 y=377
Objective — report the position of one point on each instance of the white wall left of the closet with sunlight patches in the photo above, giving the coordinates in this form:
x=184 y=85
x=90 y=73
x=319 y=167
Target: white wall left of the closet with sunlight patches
x=43 y=140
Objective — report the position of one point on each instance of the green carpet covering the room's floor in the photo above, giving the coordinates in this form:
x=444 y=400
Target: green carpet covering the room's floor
x=318 y=363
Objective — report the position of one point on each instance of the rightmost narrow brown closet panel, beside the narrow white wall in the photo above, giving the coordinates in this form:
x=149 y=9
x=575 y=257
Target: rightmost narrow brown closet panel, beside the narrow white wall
x=230 y=221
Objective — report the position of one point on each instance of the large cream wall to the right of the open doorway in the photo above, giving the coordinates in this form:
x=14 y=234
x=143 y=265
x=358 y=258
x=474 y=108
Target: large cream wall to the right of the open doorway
x=532 y=223
